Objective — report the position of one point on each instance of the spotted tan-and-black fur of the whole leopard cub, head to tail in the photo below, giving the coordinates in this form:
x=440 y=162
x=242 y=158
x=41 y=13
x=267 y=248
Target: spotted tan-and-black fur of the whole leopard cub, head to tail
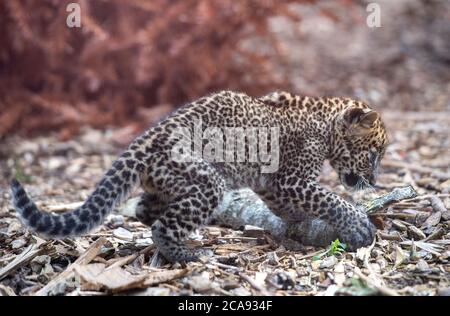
x=180 y=196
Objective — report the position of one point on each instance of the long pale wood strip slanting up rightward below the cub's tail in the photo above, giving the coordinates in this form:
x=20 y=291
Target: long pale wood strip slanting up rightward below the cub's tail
x=84 y=259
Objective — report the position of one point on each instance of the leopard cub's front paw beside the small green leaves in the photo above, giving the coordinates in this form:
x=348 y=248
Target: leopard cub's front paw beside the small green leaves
x=360 y=232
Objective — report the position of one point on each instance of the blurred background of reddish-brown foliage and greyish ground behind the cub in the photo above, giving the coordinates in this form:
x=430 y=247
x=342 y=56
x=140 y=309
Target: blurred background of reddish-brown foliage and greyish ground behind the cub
x=133 y=61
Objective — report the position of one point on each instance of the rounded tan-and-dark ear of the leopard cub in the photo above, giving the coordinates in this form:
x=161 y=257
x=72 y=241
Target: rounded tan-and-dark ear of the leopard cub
x=359 y=121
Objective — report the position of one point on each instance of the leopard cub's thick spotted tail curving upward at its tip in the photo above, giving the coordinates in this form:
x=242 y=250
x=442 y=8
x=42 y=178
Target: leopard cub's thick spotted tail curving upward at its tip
x=113 y=188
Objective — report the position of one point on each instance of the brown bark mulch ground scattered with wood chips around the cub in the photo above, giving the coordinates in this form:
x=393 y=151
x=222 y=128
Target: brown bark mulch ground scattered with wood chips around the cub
x=410 y=256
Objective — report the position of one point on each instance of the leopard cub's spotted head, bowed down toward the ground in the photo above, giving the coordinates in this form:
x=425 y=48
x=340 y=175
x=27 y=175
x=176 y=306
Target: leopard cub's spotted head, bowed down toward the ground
x=358 y=144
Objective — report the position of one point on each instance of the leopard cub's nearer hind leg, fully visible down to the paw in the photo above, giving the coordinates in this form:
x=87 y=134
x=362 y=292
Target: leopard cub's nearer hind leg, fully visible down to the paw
x=194 y=190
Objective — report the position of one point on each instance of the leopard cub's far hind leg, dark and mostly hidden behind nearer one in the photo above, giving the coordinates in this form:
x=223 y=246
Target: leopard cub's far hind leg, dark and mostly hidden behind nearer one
x=150 y=208
